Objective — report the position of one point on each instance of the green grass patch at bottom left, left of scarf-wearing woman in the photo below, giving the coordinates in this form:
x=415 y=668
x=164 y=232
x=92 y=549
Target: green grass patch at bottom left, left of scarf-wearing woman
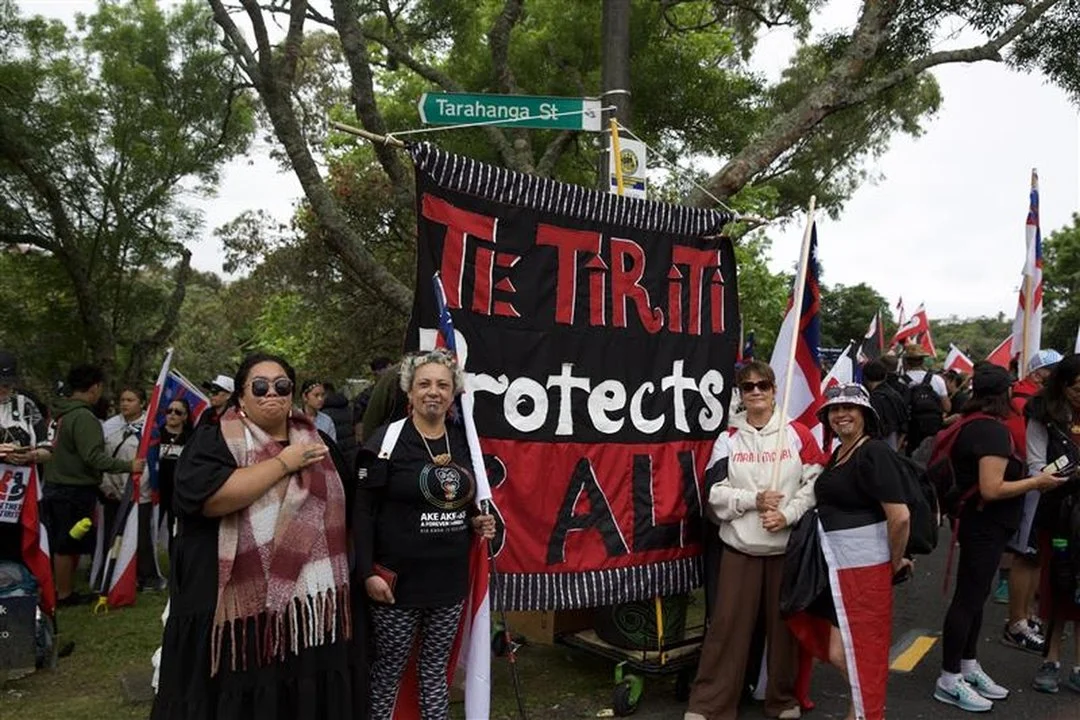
x=86 y=686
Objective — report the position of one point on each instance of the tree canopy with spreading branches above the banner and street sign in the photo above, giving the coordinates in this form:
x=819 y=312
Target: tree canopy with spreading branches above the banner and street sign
x=694 y=92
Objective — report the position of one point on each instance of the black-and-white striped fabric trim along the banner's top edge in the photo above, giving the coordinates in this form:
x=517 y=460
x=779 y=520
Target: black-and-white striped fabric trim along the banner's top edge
x=547 y=196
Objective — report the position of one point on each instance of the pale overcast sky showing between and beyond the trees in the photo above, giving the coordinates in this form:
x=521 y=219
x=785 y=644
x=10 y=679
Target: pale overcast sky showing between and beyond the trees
x=944 y=226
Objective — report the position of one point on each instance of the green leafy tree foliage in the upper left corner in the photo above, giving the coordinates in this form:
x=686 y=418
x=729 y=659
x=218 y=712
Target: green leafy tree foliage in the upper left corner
x=102 y=129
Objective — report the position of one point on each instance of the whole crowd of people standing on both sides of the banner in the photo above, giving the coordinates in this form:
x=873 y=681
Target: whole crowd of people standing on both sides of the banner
x=304 y=564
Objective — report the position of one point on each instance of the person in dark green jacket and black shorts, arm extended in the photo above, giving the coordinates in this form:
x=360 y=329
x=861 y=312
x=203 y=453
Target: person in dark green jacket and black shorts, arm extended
x=75 y=474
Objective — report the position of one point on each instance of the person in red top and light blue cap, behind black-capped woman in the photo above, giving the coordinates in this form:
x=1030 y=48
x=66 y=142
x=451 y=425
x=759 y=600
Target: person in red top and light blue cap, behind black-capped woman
x=1022 y=577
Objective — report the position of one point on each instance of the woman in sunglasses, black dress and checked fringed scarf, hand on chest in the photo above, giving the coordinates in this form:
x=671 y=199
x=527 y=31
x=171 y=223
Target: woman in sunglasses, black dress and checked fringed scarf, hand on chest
x=261 y=619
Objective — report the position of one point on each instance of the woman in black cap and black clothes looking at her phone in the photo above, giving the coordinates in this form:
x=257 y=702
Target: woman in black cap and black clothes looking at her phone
x=984 y=459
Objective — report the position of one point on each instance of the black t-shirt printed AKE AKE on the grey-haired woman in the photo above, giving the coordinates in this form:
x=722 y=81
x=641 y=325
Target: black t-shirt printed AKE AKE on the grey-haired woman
x=421 y=514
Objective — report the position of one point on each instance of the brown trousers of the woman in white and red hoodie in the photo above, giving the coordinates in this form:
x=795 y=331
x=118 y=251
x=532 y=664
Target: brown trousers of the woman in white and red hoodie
x=748 y=587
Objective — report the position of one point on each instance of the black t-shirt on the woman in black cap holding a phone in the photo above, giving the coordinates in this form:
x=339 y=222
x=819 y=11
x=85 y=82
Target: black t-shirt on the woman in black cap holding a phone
x=981 y=439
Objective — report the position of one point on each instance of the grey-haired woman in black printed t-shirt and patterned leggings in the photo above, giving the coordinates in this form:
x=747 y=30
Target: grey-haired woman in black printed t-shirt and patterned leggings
x=415 y=513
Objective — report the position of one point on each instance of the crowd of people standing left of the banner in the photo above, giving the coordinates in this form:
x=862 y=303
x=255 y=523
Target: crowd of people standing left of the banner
x=302 y=562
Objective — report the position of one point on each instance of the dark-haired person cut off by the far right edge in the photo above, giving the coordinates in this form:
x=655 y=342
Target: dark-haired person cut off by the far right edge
x=1054 y=434
